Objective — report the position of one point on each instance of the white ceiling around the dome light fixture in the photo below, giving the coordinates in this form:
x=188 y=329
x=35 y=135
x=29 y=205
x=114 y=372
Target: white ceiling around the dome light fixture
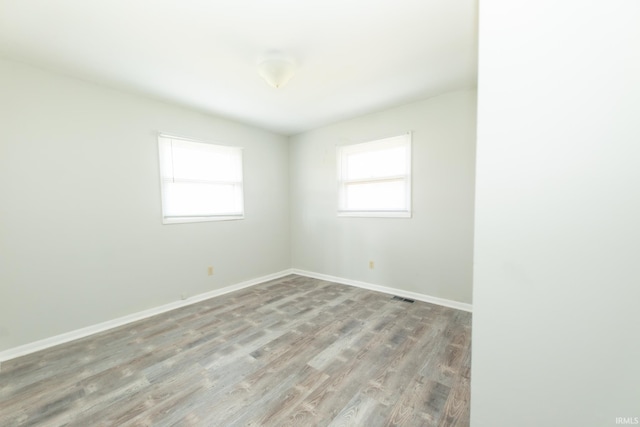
x=353 y=56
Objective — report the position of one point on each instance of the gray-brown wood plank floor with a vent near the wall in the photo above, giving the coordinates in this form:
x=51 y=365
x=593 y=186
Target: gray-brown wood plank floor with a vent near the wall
x=291 y=352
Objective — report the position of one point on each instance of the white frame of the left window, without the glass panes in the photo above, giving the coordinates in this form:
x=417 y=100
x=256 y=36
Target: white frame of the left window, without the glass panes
x=163 y=138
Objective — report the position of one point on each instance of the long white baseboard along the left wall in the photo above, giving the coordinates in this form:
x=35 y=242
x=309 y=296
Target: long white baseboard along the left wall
x=32 y=347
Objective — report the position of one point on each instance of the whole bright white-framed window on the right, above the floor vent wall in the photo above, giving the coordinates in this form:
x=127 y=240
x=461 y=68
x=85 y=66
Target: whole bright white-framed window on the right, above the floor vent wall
x=374 y=178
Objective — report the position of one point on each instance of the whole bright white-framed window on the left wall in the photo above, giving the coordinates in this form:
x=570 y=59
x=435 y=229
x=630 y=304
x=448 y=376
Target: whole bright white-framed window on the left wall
x=200 y=181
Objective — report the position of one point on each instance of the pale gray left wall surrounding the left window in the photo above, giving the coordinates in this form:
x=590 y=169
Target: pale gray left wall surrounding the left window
x=81 y=237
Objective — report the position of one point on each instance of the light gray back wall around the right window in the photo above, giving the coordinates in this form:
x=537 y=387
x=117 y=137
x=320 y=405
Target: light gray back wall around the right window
x=430 y=253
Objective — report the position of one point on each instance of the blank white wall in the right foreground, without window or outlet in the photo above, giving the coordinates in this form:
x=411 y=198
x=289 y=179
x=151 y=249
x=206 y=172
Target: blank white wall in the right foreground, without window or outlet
x=557 y=244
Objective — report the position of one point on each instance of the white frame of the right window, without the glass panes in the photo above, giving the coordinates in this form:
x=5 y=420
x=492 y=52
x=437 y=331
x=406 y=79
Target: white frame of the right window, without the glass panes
x=344 y=150
